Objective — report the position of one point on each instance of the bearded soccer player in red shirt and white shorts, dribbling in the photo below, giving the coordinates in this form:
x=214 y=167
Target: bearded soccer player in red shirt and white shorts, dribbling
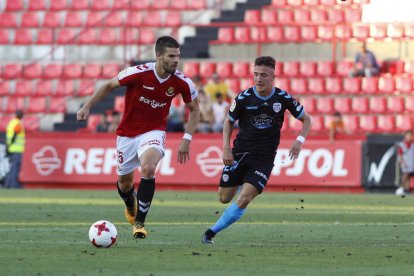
x=150 y=89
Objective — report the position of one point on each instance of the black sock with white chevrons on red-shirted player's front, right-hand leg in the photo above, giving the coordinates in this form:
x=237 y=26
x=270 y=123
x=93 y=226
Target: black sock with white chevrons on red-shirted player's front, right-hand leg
x=145 y=194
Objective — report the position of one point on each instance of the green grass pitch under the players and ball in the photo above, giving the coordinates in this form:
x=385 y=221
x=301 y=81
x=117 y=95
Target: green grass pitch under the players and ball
x=45 y=232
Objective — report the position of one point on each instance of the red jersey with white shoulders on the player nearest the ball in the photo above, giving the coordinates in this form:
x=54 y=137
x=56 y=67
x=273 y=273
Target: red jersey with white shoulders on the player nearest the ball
x=148 y=98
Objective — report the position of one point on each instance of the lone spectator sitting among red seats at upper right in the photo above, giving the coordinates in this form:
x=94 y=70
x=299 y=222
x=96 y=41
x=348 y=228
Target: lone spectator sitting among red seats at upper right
x=365 y=64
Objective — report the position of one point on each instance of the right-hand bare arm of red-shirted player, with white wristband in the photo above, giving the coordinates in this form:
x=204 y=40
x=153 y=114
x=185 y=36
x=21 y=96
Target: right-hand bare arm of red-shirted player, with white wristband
x=194 y=117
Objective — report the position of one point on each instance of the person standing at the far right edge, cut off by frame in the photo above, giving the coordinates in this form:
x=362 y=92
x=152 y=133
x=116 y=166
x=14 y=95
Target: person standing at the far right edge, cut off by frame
x=406 y=161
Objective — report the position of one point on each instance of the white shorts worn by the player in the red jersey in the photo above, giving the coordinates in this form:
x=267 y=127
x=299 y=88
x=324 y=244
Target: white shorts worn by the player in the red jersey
x=129 y=150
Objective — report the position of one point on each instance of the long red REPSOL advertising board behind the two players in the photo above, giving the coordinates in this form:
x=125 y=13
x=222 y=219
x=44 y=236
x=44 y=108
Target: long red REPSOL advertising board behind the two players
x=70 y=159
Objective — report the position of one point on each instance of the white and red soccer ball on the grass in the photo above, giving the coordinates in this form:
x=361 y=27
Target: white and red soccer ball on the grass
x=103 y=234
